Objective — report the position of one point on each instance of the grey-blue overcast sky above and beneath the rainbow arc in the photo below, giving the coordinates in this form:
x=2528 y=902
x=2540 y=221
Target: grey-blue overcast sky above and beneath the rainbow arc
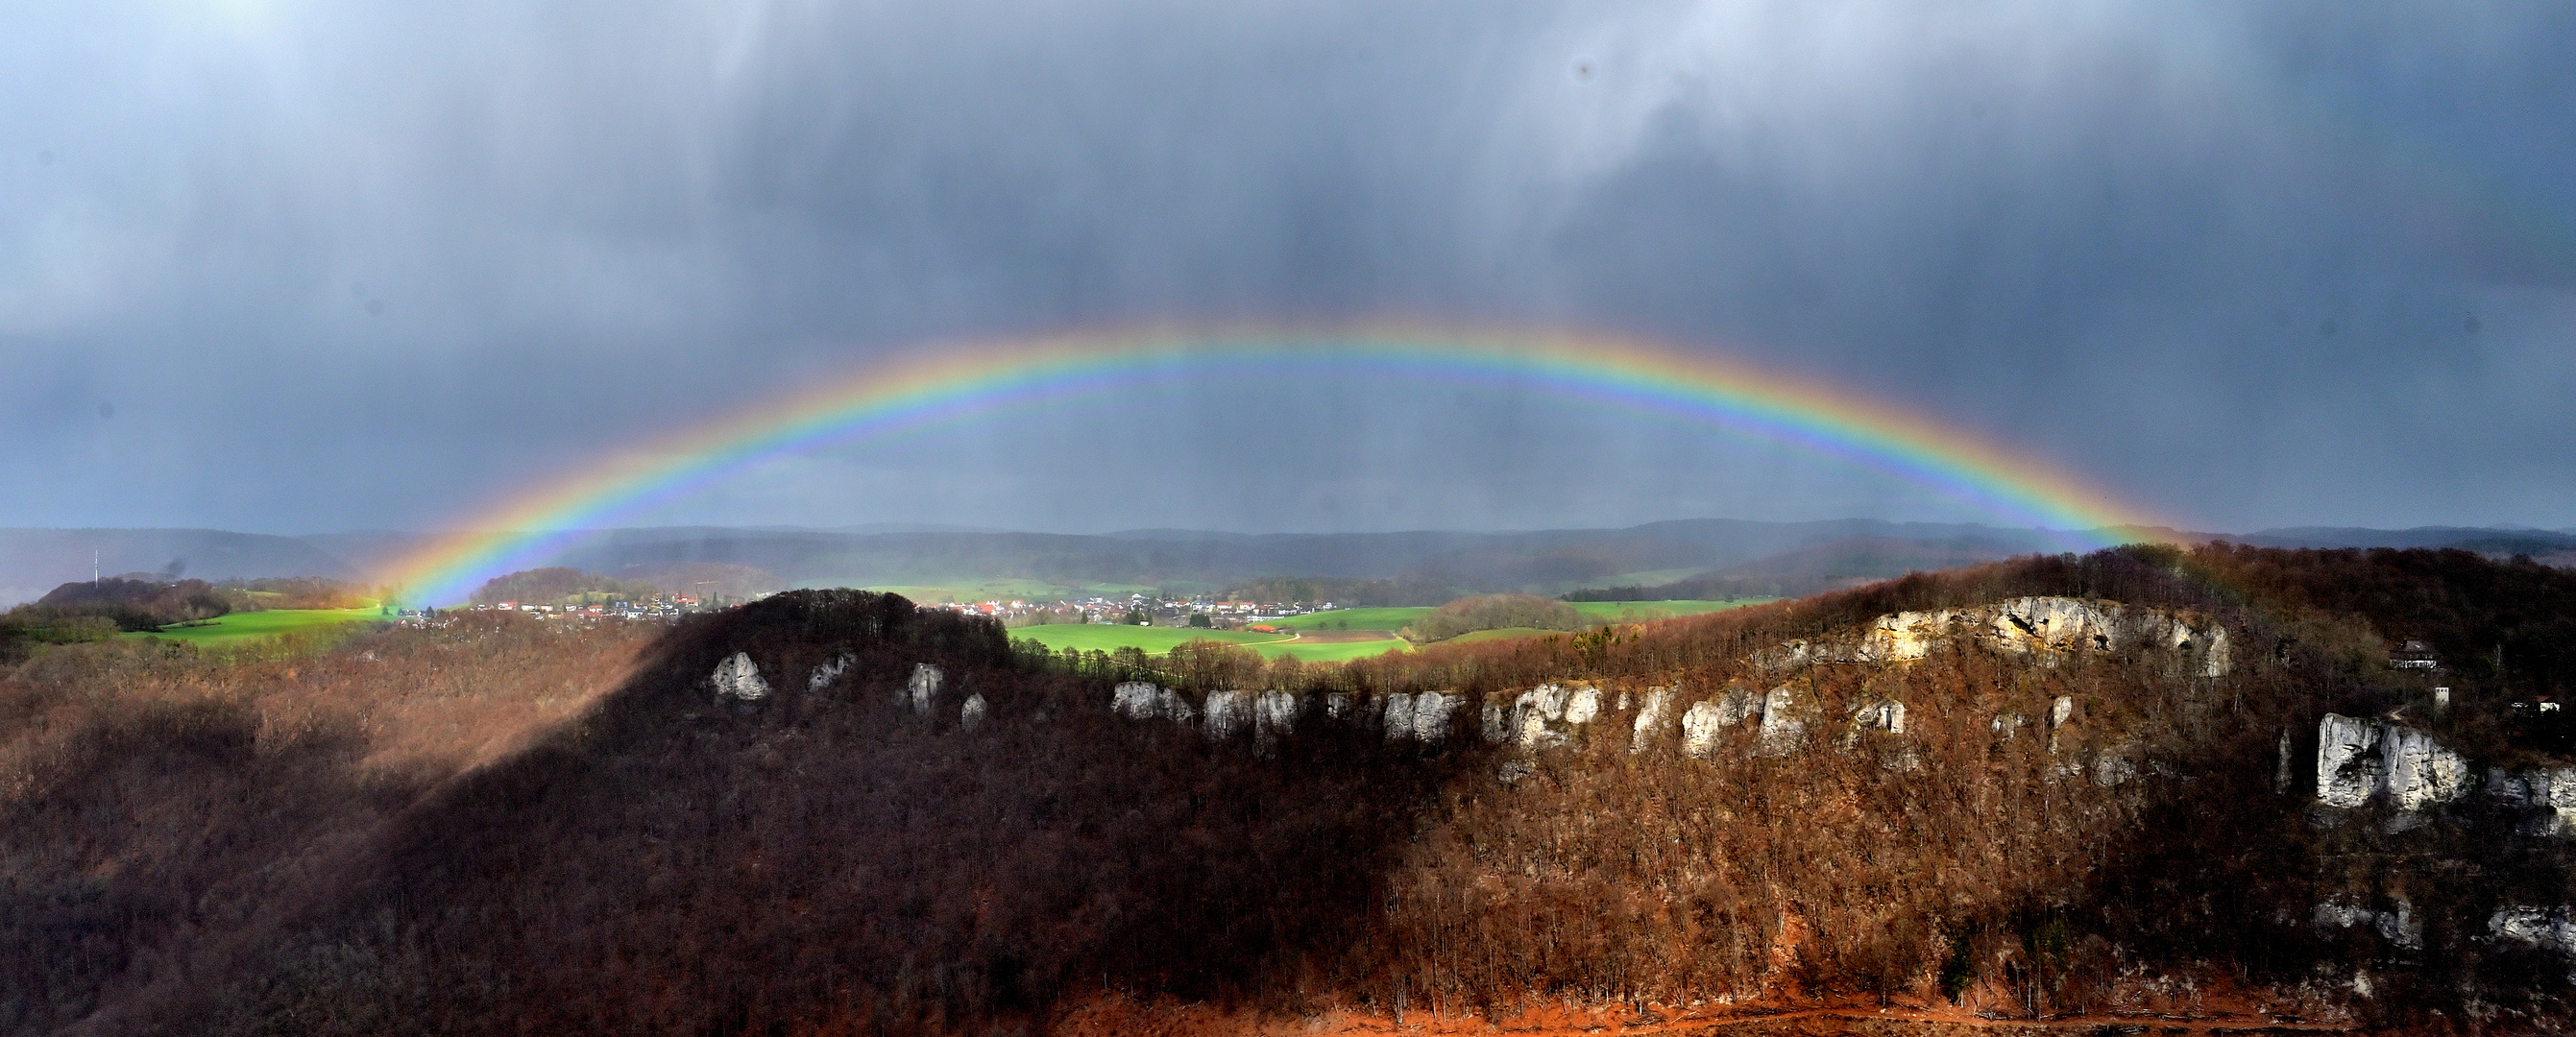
x=316 y=266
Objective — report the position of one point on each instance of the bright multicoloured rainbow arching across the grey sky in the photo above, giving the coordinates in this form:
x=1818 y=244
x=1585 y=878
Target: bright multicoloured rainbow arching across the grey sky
x=962 y=382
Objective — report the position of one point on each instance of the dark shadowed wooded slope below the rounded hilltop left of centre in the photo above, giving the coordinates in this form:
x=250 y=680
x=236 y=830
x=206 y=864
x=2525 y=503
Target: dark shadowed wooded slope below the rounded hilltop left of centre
x=841 y=861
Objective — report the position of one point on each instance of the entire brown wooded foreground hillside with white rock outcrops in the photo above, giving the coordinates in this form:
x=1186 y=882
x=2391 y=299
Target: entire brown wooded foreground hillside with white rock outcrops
x=2060 y=794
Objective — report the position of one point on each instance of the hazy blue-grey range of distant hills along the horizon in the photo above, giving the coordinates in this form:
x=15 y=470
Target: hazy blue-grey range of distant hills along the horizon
x=1792 y=557
